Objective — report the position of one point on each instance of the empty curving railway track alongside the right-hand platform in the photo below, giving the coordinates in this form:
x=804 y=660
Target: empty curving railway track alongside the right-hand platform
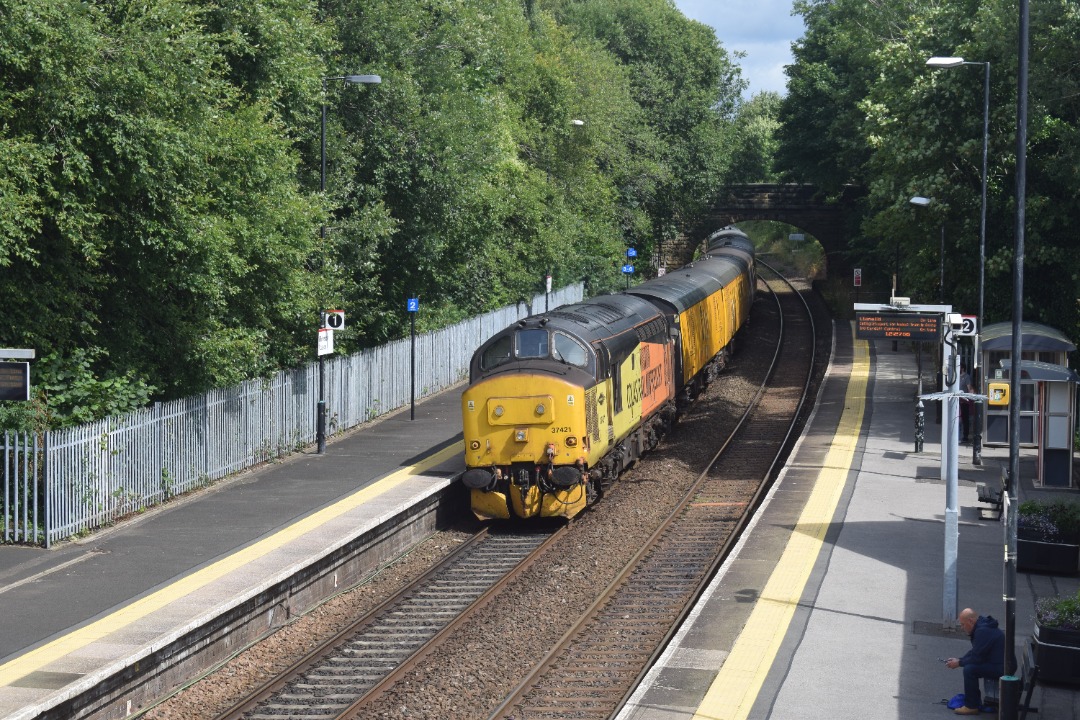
x=600 y=661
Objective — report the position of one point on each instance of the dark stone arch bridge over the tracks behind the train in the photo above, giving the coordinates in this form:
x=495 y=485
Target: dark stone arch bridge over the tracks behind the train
x=832 y=222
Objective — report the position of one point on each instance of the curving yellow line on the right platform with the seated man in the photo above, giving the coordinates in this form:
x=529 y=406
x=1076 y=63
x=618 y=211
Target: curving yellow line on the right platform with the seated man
x=736 y=688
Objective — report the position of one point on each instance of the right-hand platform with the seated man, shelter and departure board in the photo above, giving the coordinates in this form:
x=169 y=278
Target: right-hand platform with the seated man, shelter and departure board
x=834 y=606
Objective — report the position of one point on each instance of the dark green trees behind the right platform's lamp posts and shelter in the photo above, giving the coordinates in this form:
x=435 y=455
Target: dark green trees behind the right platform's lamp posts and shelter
x=863 y=108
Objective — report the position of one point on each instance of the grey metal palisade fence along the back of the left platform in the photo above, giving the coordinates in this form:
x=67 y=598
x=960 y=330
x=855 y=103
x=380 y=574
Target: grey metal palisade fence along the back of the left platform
x=87 y=478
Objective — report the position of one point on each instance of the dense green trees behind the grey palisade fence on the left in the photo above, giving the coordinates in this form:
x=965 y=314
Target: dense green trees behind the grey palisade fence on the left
x=164 y=229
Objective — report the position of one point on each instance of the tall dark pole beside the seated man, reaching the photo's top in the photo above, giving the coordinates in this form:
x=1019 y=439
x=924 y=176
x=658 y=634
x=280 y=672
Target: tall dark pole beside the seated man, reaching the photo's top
x=1010 y=685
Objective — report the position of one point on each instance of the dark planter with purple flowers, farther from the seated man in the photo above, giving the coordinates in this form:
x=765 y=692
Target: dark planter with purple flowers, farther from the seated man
x=1048 y=537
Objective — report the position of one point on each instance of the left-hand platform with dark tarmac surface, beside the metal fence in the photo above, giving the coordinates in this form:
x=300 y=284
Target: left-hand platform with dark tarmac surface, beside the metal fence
x=177 y=581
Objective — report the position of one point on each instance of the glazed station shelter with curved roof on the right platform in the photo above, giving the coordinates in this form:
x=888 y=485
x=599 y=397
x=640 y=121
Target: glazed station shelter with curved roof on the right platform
x=1048 y=396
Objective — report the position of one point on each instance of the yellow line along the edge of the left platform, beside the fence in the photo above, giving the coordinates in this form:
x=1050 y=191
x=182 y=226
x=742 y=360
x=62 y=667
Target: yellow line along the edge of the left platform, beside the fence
x=99 y=630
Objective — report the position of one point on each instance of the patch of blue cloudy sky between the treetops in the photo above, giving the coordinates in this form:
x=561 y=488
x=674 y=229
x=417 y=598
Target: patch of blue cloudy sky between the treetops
x=763 y=30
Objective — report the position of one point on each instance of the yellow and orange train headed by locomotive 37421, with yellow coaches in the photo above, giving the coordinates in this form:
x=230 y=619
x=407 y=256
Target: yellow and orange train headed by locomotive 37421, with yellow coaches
x=561 y=403
